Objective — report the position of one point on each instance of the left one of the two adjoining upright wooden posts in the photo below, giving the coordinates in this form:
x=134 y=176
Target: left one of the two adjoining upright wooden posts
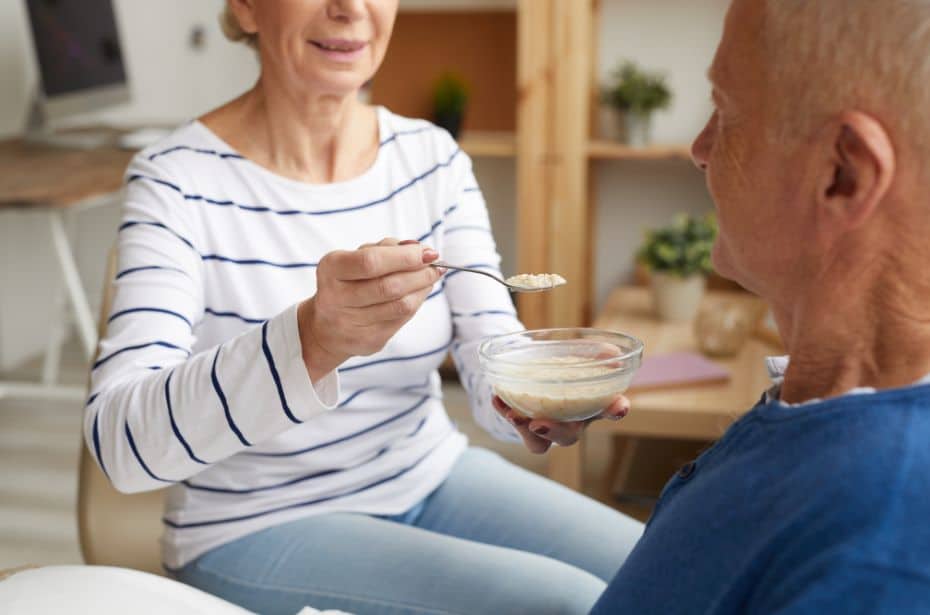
x=534 y=91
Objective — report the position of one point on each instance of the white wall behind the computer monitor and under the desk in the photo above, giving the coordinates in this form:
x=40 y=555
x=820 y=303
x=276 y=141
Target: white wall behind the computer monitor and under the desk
x=170 y=82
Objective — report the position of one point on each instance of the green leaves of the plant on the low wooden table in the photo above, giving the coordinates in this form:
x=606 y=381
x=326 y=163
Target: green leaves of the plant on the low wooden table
x=682 y=248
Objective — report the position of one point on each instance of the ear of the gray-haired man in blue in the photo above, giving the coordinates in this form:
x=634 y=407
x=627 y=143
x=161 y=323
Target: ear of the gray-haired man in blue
x=859 y=173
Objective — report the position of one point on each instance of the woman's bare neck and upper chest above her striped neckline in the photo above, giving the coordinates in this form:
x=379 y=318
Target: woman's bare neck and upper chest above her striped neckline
x=310 y=138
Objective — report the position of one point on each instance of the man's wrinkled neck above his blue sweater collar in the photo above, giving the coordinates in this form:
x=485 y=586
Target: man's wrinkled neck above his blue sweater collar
x=859 y=331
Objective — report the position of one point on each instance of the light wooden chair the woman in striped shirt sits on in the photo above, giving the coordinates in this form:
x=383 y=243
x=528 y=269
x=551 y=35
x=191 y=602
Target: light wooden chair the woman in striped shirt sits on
x=116 y=529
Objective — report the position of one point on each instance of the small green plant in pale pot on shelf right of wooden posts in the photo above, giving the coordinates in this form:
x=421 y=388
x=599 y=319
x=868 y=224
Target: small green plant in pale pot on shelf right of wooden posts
x=635 y=95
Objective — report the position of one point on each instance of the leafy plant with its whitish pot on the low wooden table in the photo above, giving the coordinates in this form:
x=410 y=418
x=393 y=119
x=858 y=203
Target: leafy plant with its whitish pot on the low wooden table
x=678 y=258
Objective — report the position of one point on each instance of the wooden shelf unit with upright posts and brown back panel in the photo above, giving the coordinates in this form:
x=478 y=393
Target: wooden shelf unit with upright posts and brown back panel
x=533 y=71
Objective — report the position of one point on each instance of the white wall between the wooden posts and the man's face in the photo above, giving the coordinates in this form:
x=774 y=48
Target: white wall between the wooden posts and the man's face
x=677 y=37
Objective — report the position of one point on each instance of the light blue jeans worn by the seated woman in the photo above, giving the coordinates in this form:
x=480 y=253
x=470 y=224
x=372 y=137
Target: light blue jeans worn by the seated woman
x=492 y=539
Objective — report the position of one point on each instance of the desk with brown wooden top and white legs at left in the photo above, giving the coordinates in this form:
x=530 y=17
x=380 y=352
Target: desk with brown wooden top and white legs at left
x=58 y=183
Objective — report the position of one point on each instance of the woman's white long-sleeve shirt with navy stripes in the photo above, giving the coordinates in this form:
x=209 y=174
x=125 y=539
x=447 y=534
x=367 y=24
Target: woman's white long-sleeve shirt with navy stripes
x=200 y=385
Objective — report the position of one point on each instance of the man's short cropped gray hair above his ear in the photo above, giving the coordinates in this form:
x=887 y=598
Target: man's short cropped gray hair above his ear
x=832 y=55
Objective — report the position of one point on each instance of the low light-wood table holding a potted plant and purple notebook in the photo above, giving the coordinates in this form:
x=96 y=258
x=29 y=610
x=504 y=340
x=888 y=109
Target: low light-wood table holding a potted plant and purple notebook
x=699 y=412
